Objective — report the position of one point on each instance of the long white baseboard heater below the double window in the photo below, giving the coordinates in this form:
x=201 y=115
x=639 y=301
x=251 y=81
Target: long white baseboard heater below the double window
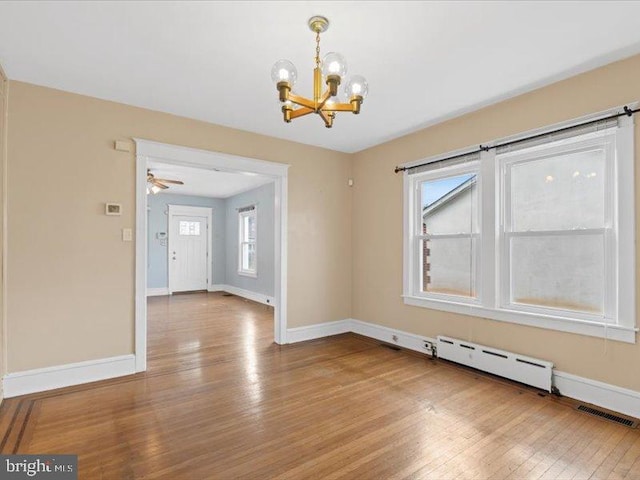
x=527 y=370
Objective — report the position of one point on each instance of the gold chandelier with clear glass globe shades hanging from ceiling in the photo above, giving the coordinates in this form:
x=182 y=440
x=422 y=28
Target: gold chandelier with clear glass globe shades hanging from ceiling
x=331 y=71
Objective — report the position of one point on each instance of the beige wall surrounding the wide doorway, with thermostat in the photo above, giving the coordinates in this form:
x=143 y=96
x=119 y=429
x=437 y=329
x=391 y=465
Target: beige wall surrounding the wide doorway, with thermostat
x=70 y=285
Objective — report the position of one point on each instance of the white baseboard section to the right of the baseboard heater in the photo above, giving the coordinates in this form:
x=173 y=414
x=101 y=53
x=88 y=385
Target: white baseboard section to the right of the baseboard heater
x=602 y=394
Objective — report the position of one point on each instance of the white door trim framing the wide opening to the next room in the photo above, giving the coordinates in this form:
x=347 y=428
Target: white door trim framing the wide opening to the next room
x=178 y=155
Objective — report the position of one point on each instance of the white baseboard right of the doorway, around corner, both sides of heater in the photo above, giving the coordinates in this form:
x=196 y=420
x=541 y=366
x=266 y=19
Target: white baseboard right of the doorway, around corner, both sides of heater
x=597 y=393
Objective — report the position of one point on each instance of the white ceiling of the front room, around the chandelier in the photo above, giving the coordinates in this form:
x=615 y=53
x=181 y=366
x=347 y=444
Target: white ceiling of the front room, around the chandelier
x=425 y=61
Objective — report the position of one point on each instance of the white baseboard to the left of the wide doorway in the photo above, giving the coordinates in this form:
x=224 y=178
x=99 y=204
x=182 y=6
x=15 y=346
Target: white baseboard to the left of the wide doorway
x=42 y=379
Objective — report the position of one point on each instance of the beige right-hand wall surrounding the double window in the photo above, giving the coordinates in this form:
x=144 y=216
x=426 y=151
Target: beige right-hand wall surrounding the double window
x=377 y=224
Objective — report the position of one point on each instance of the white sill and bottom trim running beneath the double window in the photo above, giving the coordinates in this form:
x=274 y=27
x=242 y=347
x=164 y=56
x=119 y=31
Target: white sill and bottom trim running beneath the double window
x=581 y=327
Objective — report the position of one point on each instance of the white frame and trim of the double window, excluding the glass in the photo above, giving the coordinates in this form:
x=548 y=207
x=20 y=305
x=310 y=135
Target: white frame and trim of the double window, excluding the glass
x=492 y=295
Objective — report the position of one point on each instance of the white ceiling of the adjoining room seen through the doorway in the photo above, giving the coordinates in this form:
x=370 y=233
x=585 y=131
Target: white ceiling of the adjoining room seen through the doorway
x=206 y=183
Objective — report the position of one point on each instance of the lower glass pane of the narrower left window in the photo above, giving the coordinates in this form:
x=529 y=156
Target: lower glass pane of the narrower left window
x=448 y=266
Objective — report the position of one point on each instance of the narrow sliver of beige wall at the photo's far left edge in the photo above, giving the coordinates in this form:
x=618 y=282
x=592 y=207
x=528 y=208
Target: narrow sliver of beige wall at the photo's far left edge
x=3 y=128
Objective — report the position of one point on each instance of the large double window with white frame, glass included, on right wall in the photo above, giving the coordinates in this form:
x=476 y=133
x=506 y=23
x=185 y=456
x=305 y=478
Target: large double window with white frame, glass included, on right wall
x=540 y=232
